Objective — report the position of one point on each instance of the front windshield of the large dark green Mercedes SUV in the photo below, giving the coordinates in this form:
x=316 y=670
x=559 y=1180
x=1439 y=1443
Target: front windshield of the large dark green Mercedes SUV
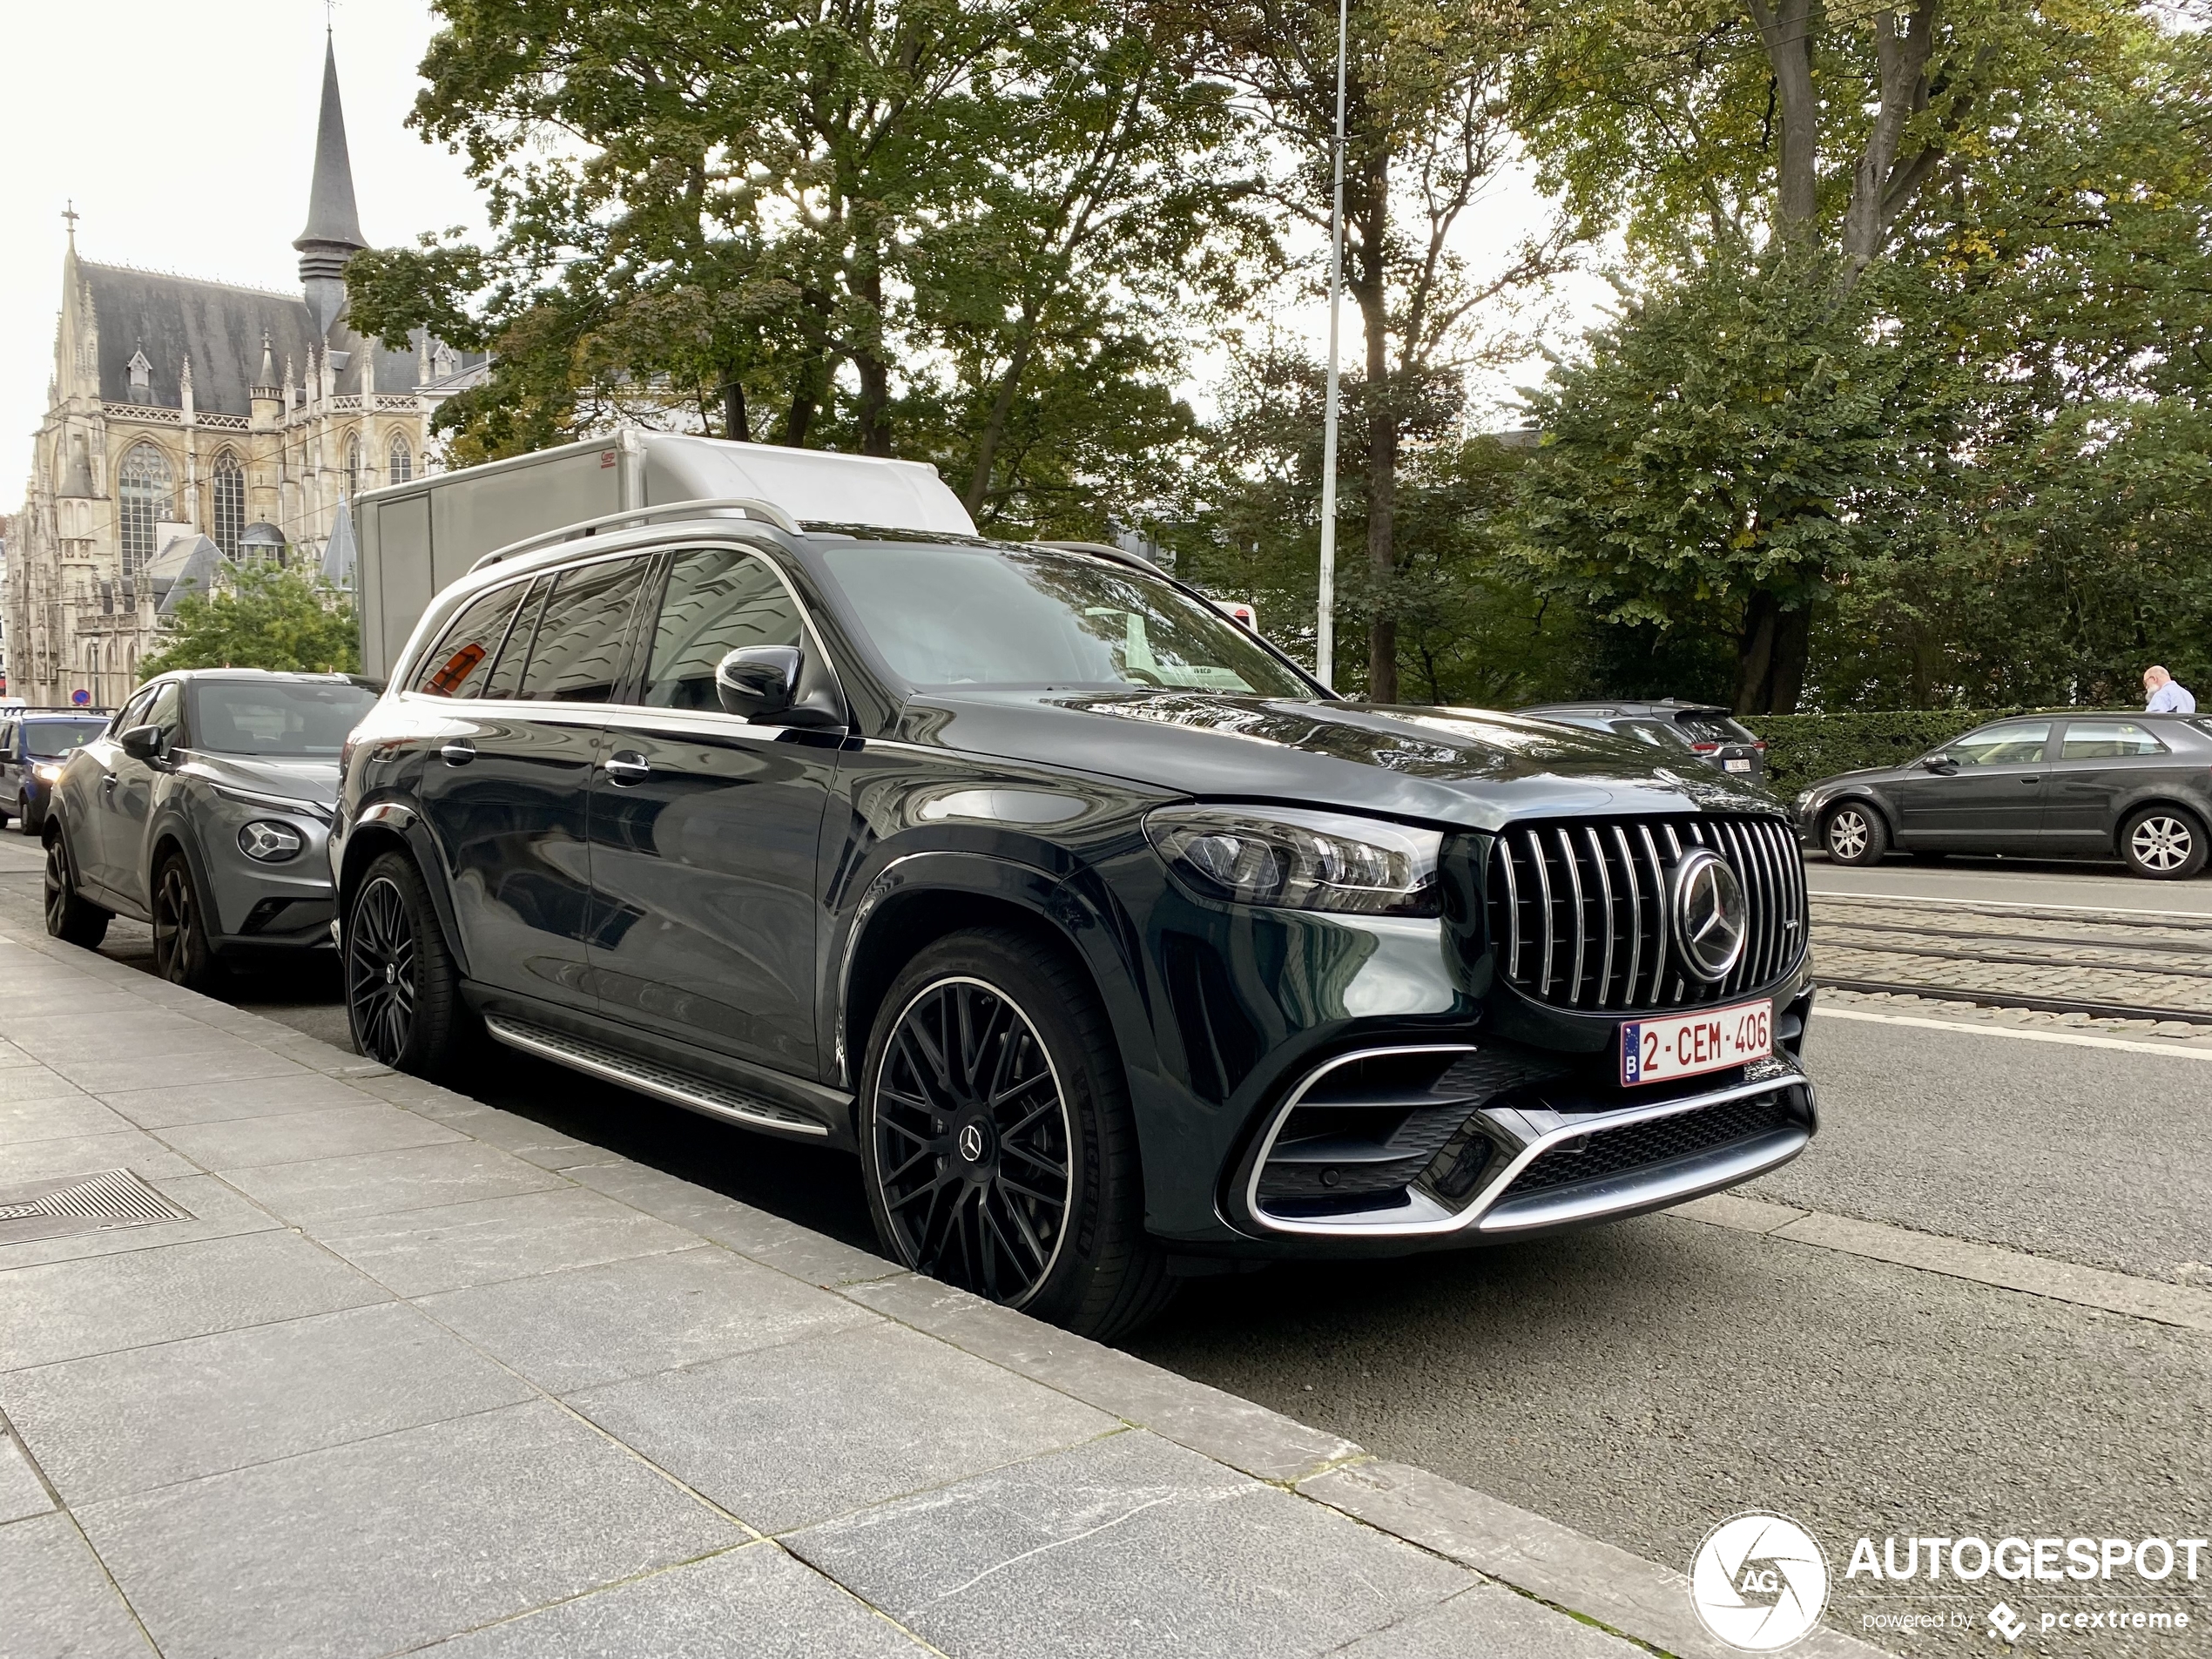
x=992 y=616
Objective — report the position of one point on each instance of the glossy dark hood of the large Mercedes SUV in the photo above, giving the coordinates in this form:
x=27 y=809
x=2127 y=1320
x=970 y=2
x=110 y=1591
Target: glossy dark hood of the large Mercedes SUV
x=1461 y=766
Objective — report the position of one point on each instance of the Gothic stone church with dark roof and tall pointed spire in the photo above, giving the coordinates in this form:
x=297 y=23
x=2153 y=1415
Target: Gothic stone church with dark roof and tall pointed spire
x=194 y=421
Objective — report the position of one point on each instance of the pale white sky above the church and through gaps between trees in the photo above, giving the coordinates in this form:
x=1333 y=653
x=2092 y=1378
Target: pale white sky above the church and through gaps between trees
x=185 y=134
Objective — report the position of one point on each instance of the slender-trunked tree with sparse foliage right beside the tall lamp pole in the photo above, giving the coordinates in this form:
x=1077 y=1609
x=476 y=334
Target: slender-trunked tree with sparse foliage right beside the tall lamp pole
x=1430 y=127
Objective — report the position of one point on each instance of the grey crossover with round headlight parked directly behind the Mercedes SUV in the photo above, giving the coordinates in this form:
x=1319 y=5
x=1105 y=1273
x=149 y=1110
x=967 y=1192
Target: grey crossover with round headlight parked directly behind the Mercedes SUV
x=205 y=811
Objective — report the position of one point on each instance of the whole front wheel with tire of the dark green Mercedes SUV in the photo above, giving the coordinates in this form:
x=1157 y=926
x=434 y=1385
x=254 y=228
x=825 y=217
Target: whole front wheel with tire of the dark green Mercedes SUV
x=1027 y=1191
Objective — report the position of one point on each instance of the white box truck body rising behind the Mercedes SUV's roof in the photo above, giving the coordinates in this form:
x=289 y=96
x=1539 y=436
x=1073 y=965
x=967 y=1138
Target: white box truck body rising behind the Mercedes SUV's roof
x=419 y=536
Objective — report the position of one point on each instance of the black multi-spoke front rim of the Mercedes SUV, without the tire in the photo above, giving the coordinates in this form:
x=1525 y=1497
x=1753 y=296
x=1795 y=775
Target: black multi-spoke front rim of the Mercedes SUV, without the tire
x=972 y=1140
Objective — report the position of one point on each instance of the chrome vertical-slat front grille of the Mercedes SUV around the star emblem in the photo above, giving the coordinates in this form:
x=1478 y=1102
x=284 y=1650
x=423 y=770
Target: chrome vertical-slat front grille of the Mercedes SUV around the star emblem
x=1580 y=912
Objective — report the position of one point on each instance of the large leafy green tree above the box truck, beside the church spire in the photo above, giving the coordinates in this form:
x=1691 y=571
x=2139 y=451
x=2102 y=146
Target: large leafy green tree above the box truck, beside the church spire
x=890 y=227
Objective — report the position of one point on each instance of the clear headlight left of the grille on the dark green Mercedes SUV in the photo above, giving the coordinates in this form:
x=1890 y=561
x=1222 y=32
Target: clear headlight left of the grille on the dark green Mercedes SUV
x=1300 y=859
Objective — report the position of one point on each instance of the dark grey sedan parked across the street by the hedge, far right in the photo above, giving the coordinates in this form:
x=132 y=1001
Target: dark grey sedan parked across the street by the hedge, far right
x=2076 y=784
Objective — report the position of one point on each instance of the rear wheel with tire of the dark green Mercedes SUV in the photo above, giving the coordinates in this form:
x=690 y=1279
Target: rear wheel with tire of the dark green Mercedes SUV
x=401 y=983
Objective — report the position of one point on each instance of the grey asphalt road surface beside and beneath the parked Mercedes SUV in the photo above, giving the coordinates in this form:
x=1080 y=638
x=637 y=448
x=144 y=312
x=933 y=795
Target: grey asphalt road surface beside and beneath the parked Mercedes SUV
x=1651 y=1379
